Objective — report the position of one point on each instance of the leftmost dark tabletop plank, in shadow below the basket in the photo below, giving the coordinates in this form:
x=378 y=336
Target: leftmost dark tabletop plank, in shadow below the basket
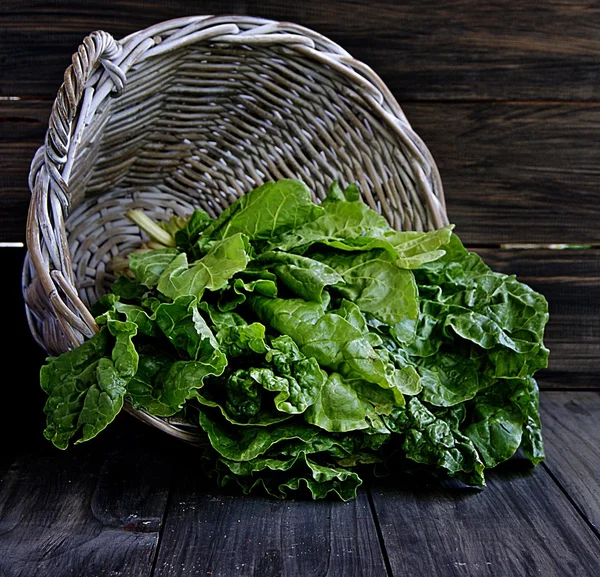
x=92 y=510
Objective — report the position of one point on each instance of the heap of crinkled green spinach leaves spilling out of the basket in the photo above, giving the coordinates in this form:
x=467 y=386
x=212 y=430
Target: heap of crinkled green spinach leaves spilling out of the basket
x=309 y=341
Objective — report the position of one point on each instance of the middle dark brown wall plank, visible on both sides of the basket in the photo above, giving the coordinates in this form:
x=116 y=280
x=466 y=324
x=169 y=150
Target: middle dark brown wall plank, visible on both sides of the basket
x=507 y=169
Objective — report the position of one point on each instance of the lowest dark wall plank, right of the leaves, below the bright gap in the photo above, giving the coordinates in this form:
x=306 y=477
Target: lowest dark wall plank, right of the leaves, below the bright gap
x=569 y=281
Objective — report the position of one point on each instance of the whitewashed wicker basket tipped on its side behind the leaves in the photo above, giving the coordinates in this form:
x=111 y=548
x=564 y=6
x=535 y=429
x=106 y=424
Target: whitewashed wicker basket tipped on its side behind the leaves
x=195 y=112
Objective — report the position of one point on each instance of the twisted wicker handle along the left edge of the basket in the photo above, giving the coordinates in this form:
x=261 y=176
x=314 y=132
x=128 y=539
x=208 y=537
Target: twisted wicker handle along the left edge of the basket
x=47 y=245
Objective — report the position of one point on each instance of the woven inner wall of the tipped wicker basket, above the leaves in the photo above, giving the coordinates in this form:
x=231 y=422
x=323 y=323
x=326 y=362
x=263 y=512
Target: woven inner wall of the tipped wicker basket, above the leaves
x=204 y=124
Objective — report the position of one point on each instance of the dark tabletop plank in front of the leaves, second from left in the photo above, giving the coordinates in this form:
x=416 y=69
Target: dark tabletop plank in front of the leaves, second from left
x=221 y=533
